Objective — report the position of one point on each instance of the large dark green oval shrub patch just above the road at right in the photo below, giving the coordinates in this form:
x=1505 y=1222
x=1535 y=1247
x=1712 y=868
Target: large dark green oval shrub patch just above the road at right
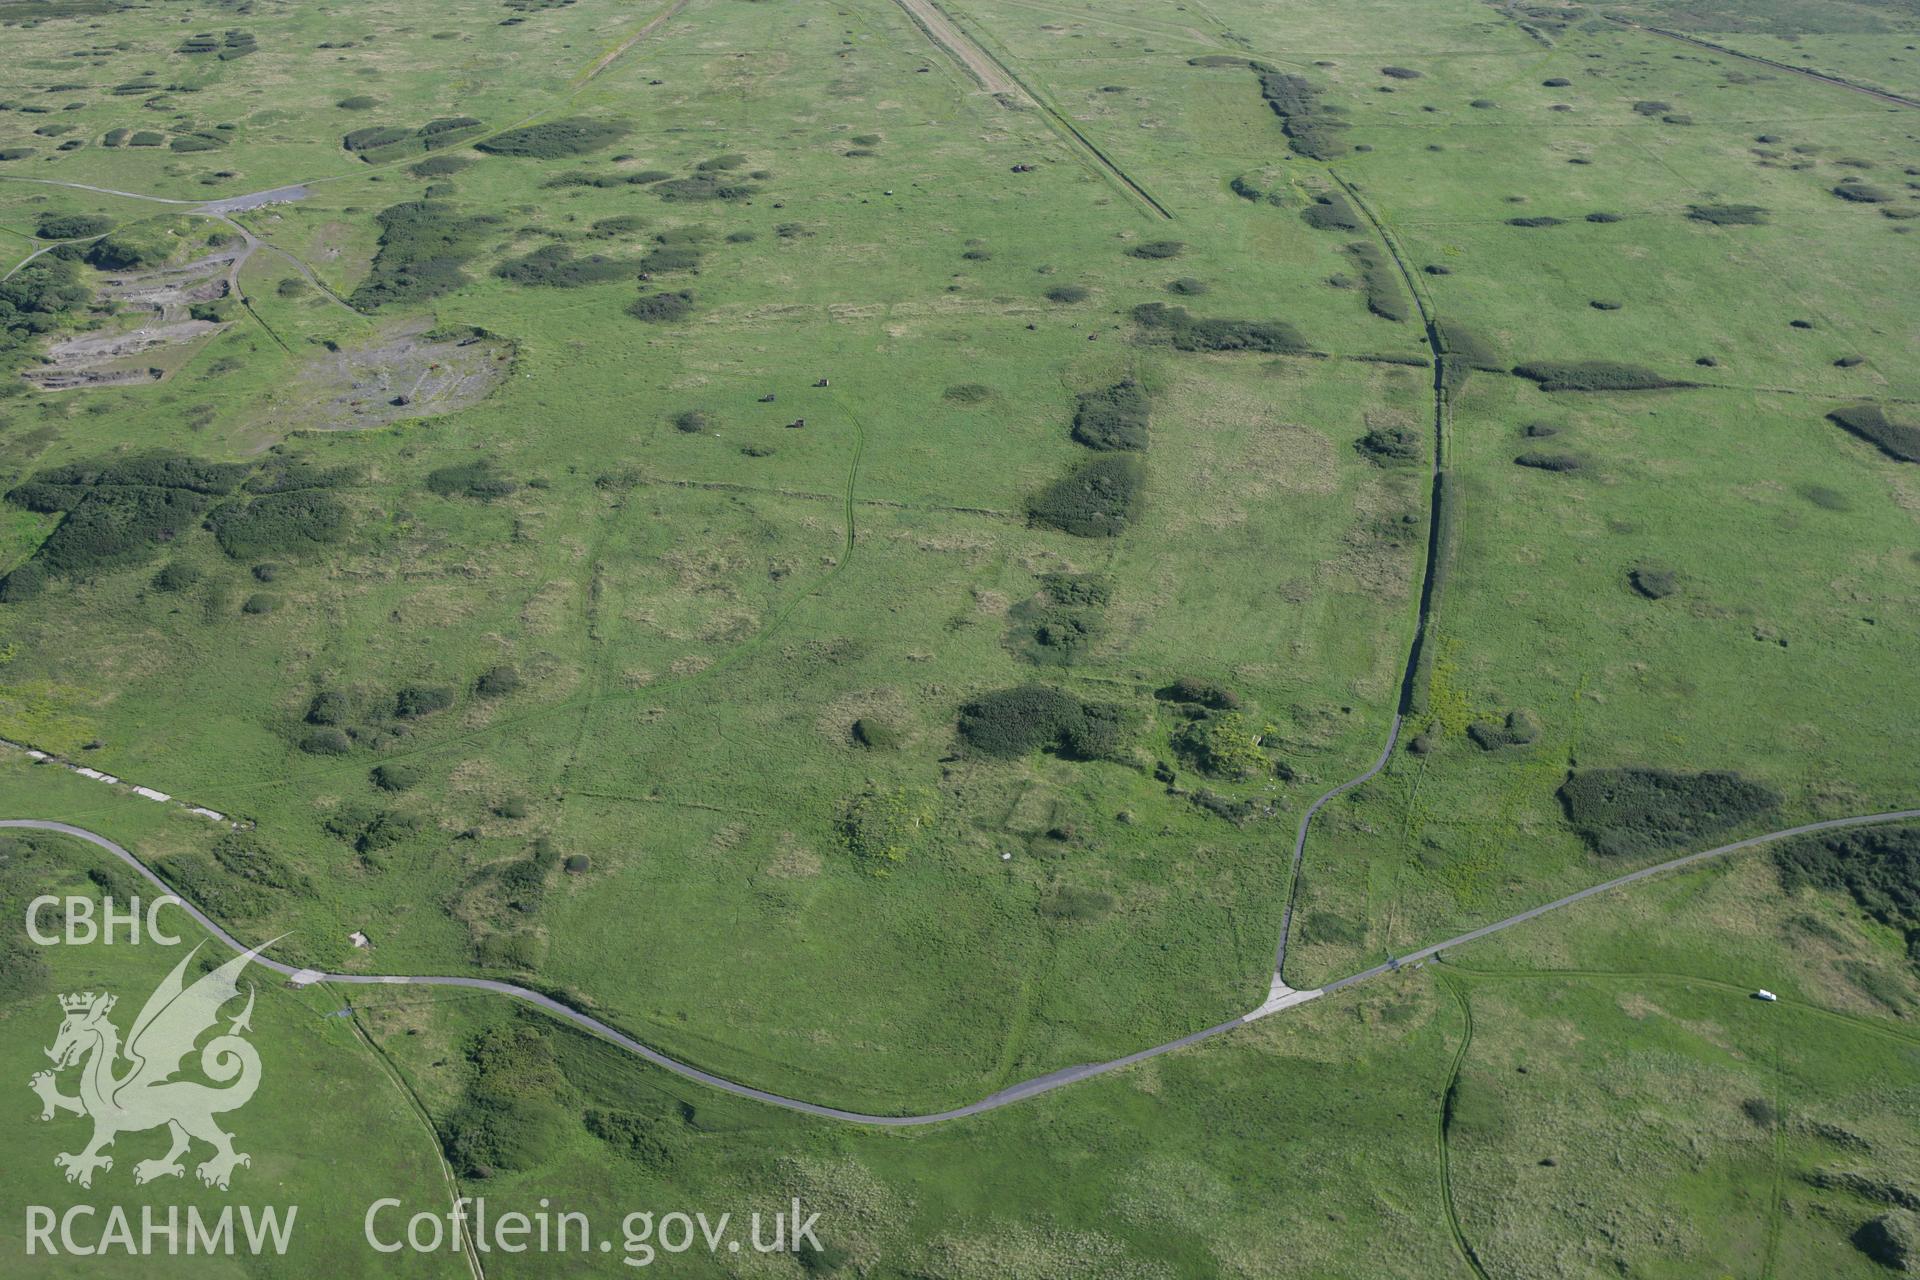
x=1637 y=811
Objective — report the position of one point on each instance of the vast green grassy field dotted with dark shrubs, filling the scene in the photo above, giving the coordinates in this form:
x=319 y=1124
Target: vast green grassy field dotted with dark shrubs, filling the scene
x=612 y=652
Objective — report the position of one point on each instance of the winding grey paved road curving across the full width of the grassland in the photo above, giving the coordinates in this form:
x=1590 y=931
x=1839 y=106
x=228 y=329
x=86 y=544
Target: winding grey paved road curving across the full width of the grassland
x=1015 y=1093
